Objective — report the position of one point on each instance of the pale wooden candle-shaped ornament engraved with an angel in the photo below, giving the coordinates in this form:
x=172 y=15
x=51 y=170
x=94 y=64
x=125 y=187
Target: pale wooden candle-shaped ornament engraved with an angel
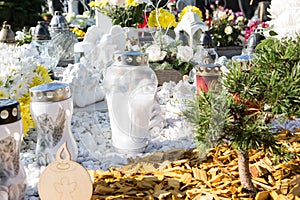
x=65 y=179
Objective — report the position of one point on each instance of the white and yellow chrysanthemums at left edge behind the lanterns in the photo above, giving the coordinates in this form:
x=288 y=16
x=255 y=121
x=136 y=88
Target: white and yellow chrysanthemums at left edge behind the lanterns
x=19 y=72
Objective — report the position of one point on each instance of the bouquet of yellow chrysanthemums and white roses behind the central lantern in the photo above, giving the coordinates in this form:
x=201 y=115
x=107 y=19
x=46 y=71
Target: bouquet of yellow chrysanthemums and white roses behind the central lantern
x=165 y=52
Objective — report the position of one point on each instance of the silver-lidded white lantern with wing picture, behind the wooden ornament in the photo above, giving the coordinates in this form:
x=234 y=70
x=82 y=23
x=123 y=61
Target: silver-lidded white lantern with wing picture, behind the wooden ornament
x=52 y=108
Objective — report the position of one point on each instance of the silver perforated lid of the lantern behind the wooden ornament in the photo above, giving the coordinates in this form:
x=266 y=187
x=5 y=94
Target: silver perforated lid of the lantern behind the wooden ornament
x=50 y=92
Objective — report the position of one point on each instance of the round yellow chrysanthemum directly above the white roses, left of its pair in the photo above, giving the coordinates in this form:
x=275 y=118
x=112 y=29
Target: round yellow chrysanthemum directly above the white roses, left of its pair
x=165 y=19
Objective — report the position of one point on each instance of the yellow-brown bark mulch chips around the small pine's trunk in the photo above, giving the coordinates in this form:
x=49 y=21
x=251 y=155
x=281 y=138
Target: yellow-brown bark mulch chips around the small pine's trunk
x=183 y=174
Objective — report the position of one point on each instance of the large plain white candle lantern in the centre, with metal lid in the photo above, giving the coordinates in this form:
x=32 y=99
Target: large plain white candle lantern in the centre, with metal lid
x=130 y=90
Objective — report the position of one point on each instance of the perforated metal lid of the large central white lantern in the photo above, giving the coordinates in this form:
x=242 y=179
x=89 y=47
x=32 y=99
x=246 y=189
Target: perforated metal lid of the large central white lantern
x=134 y=58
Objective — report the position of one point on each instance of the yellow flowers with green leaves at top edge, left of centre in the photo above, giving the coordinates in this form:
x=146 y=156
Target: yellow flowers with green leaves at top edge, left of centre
x=126 y=13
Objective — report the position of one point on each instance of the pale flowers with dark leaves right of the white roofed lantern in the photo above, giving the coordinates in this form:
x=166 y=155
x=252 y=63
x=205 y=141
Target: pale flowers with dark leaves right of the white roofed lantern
x=225 y=25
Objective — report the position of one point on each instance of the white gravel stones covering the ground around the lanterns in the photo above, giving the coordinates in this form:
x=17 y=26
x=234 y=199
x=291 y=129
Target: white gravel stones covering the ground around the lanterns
x=93 y=135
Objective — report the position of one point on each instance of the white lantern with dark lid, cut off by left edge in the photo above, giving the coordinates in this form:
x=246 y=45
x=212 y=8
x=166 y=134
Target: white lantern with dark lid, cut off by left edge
x=12 y=175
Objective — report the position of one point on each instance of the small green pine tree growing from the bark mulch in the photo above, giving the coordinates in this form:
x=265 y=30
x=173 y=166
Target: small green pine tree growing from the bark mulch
x=250 y=102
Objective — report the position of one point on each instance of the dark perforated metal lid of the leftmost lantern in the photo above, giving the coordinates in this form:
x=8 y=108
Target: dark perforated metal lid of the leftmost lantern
x=9 y=111
